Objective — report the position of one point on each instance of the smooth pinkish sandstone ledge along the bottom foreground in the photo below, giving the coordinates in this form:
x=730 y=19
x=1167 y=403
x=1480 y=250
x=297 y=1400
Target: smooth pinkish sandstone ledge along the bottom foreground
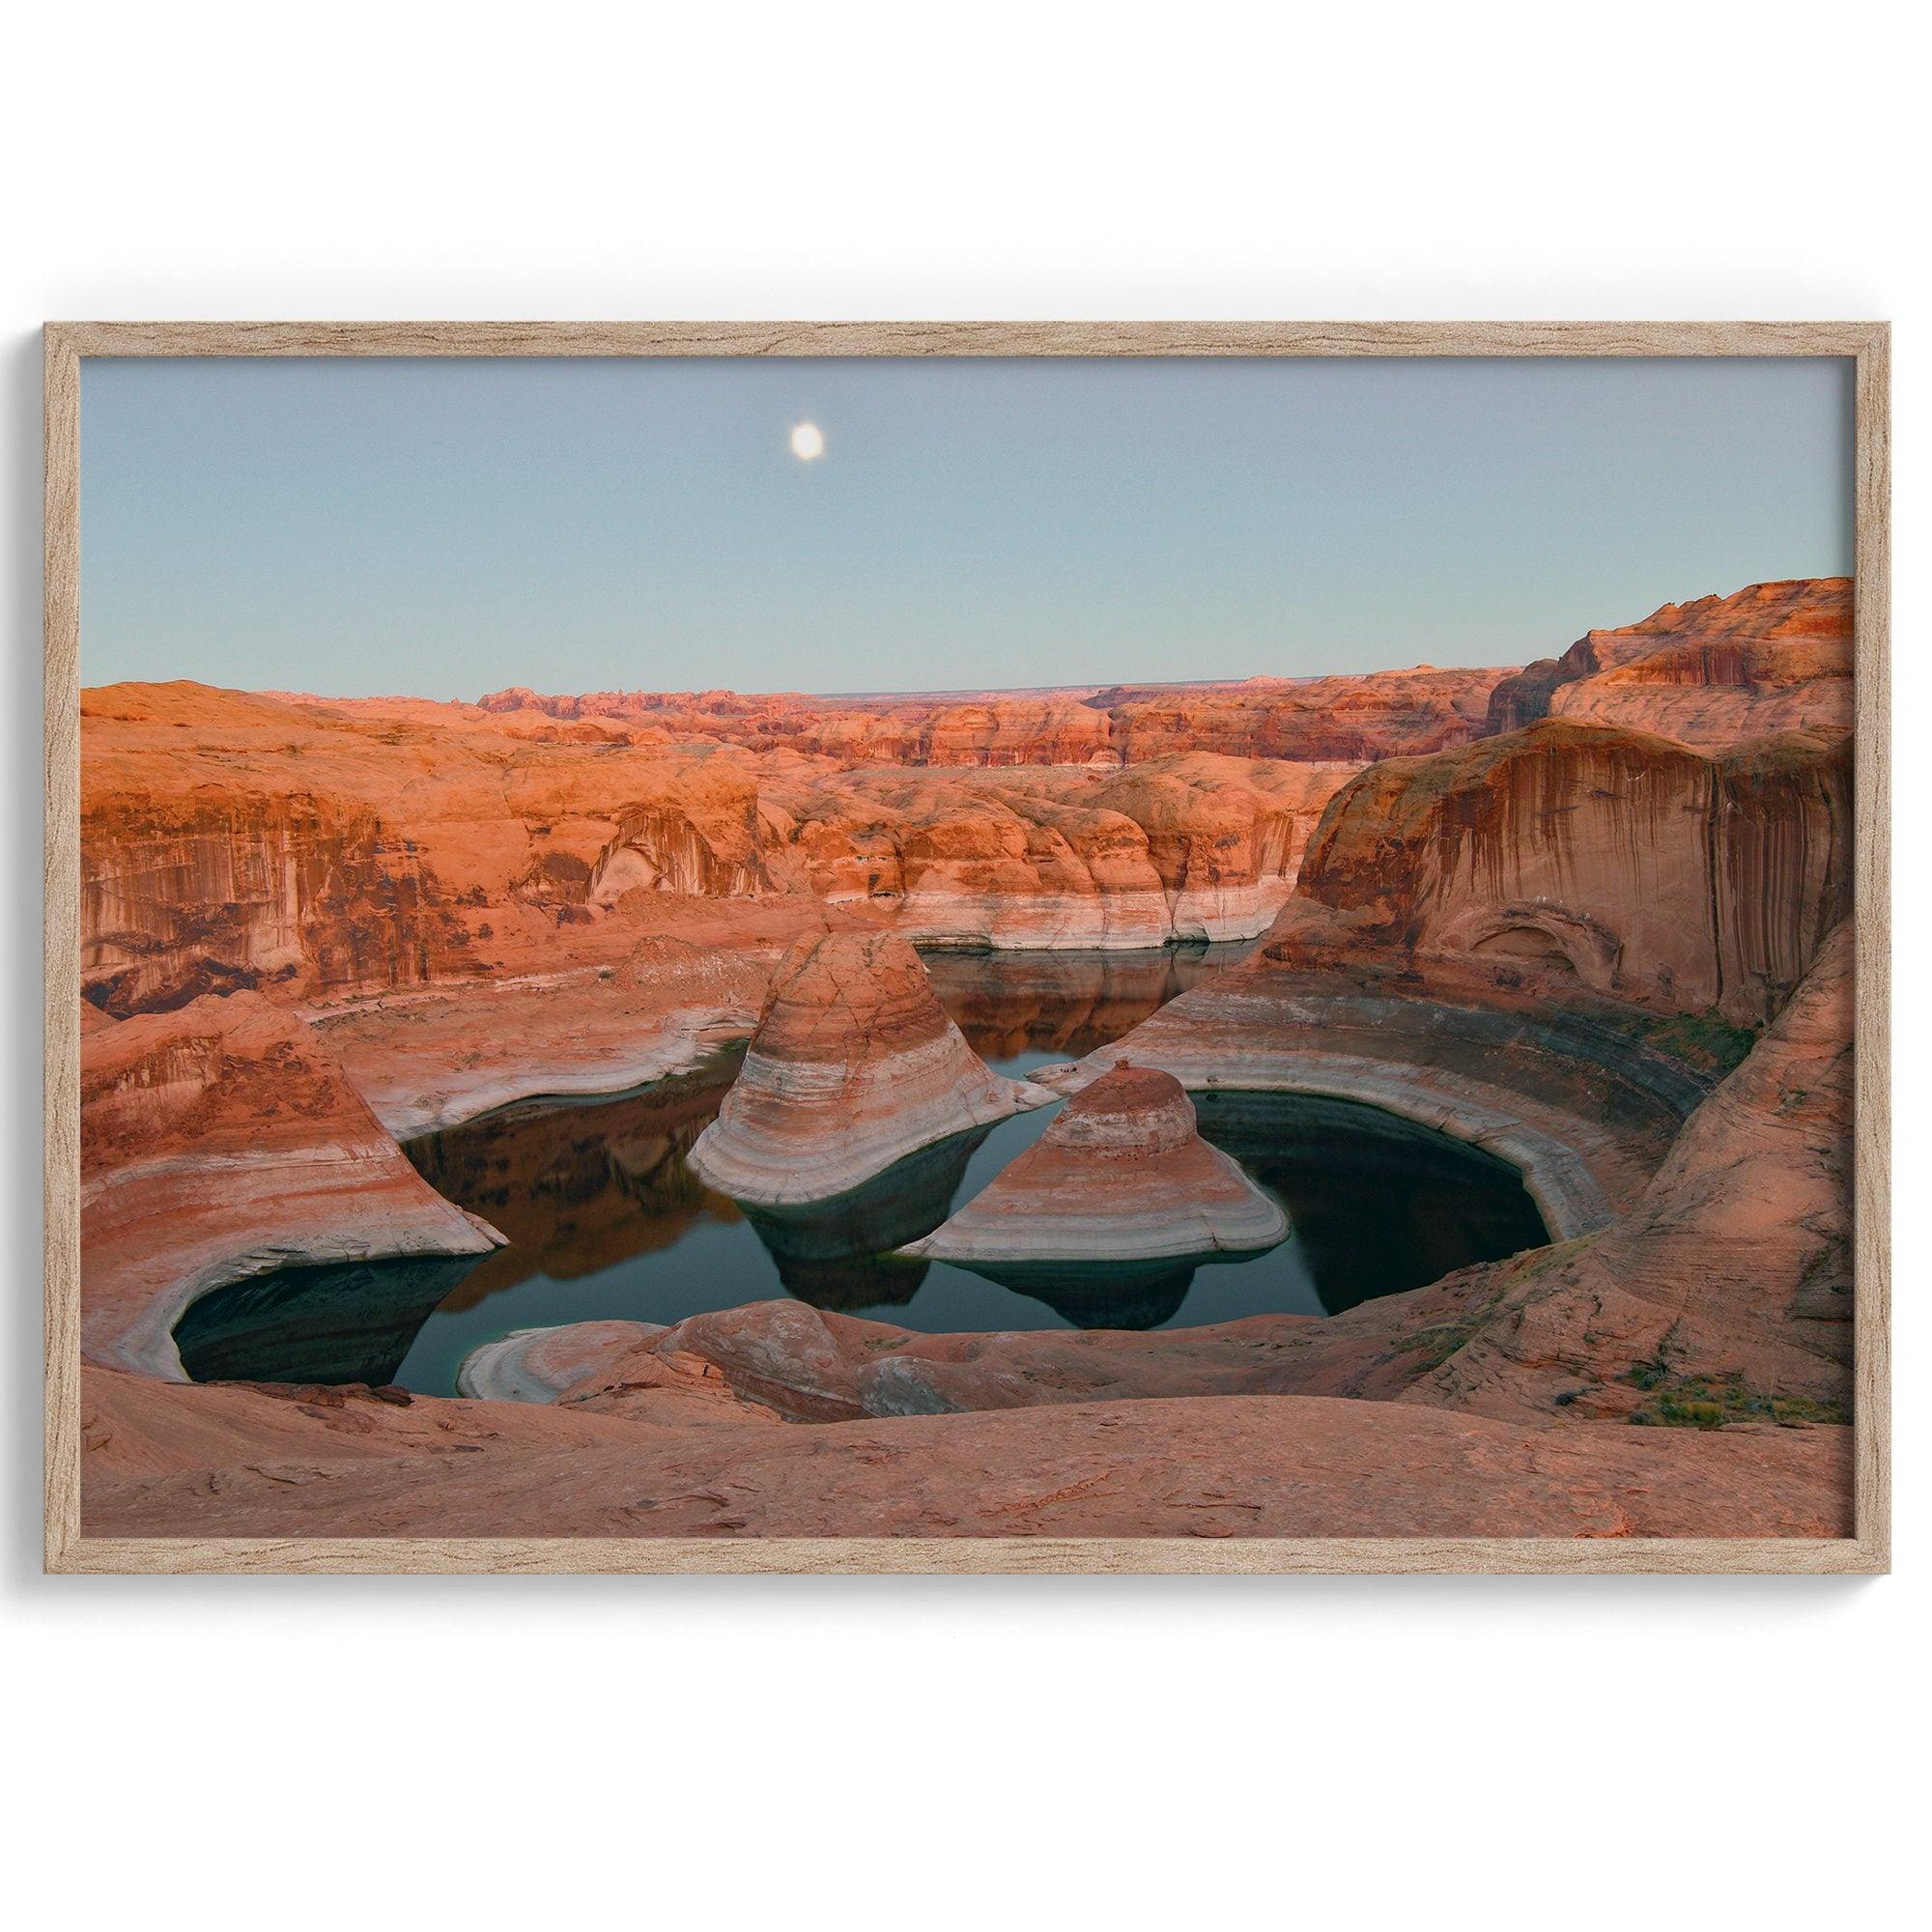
x=237 y=1462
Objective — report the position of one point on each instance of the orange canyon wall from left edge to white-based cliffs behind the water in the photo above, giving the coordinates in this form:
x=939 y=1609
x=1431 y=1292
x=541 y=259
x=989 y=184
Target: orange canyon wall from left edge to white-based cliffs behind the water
x=312 y=851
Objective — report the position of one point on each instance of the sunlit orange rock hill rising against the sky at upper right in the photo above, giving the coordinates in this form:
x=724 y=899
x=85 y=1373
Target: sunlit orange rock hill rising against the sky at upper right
x=1773 y=658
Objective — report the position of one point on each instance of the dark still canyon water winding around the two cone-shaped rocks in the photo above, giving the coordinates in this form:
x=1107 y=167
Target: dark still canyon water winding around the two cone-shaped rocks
x=606 y=1220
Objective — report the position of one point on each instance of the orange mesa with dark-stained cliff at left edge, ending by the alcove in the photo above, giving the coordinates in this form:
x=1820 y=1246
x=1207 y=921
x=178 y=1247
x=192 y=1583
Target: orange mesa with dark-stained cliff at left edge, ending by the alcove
x=304 y=849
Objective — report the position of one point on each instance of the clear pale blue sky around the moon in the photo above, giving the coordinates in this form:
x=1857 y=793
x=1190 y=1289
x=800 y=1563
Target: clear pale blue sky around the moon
x=455 y=526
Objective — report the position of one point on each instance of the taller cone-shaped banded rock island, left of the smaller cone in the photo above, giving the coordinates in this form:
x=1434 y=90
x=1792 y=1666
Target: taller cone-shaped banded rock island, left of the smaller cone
x=853 y=1067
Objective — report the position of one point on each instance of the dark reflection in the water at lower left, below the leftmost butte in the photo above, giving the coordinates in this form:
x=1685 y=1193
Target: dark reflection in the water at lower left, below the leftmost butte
x=353 y=1322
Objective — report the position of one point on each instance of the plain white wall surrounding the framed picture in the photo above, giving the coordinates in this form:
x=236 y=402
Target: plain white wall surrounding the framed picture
x=952 y=1751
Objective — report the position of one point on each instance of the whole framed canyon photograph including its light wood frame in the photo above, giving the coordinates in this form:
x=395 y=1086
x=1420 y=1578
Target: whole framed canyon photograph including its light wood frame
x=967 y=948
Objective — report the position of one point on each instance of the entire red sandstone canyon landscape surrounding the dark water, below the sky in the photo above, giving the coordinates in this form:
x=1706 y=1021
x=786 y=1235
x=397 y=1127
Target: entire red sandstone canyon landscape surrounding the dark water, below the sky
x=1589 y=917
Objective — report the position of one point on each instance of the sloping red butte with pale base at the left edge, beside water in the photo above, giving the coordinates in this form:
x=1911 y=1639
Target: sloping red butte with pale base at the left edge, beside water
x=217 y=1143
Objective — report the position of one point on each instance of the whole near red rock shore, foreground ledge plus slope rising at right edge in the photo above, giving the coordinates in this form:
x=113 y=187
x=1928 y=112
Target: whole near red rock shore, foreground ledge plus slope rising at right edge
x=1713 y=1303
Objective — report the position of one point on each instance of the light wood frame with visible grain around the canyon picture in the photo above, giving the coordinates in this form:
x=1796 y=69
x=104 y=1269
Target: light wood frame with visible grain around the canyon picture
x=1869 y=345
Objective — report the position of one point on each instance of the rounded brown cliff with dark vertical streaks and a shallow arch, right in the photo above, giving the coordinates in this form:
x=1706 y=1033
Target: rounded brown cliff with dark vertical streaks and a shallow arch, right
x=1603 y=859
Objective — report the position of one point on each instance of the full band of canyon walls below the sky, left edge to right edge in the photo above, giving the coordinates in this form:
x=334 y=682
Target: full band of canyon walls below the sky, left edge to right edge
x=310 y=849
